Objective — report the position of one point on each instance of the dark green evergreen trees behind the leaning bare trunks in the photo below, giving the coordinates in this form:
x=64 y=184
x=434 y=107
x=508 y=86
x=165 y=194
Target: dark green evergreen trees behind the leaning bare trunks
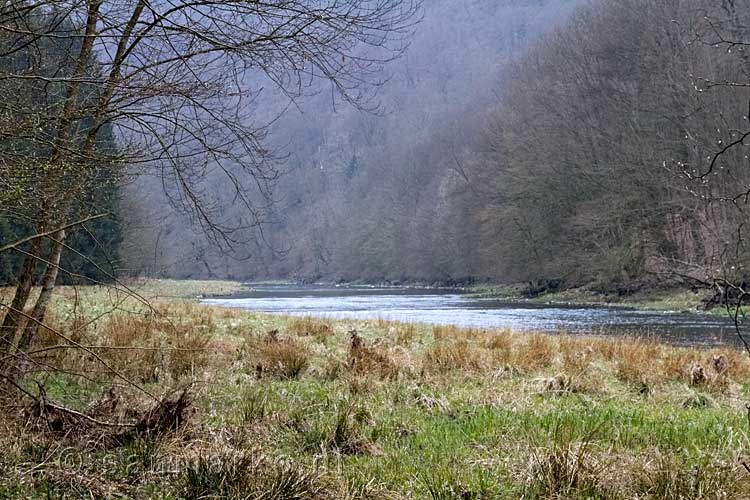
x=27 y=189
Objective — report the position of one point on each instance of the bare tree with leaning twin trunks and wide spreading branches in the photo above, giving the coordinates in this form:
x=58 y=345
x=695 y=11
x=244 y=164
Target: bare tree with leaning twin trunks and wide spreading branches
x=178 y=84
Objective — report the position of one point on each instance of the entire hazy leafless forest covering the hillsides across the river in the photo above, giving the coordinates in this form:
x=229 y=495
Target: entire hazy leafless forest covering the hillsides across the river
x=551 y=141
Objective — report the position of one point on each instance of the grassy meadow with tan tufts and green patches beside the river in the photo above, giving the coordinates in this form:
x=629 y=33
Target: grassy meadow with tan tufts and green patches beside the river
x=278 y=407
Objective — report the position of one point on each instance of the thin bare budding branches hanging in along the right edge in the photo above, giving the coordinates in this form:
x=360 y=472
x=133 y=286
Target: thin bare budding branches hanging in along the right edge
x=718 y=173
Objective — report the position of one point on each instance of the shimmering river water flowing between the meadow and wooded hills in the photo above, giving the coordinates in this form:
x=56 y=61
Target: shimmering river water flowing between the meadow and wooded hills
x=450 y=307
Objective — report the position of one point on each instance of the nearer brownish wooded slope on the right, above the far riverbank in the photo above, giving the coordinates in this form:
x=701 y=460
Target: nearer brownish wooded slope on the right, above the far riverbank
x=591 y=149
